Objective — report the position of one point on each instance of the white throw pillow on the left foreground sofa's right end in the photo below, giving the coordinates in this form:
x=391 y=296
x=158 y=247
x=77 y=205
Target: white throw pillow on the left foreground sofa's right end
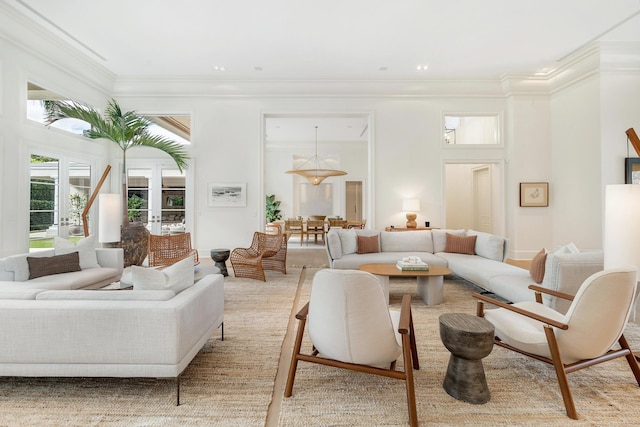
x=177 y=277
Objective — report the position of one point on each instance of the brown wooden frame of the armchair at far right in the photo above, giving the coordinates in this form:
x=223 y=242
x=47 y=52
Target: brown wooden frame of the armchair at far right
x=561 y=368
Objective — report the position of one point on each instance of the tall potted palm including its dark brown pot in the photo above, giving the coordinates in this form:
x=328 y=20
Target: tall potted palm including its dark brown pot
x=127 y=130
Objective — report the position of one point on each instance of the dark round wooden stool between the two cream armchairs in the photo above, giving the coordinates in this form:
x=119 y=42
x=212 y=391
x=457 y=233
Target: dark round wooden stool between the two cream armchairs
x=469 y=339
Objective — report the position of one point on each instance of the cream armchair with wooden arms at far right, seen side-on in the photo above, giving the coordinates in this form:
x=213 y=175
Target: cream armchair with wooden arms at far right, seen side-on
x=583 y=337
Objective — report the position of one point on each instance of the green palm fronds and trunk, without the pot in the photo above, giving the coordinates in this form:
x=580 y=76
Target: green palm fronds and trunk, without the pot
x=128 y=130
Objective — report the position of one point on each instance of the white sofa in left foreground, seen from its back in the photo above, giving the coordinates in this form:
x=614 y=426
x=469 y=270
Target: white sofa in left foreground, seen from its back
x=107 y=333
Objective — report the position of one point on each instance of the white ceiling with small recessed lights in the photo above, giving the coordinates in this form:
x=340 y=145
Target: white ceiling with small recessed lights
x=333 y=39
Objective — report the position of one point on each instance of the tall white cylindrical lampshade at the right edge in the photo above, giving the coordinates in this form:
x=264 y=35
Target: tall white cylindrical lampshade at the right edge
x=622 y=226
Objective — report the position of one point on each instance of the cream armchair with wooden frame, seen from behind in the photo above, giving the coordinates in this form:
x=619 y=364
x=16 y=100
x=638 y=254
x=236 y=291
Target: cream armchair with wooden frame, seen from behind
x=358 y=334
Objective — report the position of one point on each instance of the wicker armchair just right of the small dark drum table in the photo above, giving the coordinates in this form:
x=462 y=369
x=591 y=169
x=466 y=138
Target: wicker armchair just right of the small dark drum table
x=267 y=252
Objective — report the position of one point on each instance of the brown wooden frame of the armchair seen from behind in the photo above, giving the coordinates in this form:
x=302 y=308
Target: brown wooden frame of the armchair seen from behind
x=409 y=356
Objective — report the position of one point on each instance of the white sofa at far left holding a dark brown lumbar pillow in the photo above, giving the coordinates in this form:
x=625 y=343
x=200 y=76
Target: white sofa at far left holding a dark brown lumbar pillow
x=100 y=267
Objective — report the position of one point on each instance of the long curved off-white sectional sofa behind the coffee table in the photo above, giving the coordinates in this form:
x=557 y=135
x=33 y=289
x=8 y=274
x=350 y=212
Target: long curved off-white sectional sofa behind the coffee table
x=487 y=269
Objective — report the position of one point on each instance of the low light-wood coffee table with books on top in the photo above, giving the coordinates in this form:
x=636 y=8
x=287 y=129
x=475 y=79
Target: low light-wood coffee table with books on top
x=429 y=282
